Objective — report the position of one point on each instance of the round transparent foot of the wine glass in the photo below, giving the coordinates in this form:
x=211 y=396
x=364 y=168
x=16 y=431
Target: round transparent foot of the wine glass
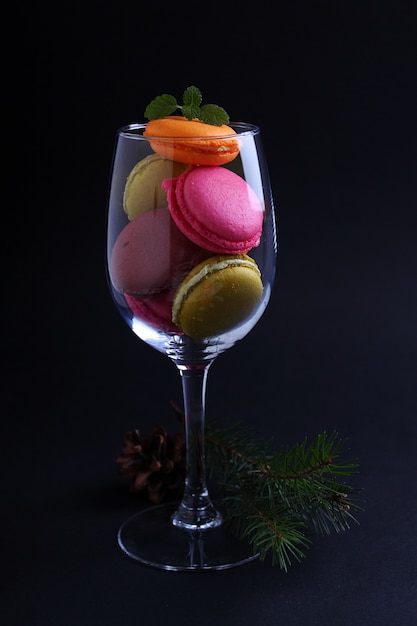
x=150 y=538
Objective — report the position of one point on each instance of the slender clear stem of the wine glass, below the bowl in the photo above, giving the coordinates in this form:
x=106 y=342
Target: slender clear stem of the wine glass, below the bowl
x=196 y=511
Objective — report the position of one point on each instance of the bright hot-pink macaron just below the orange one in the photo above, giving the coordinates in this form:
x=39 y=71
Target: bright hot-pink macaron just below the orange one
x=216 y=209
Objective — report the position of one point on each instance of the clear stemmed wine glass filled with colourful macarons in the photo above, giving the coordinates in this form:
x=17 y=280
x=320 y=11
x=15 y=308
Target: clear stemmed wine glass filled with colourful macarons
x=151 y=262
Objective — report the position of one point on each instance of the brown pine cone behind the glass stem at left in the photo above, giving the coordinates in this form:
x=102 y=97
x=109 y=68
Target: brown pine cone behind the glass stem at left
x=155 y=463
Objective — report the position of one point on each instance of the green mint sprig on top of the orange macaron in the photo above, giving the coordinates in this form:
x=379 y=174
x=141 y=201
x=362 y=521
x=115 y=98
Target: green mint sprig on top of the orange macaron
x=191 y=108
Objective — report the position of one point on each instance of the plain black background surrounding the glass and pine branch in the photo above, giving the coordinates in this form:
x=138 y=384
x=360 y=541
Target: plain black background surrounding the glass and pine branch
x=333 y=87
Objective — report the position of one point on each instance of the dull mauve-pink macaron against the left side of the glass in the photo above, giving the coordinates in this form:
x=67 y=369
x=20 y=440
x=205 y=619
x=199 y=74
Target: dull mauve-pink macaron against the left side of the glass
x=151 y=254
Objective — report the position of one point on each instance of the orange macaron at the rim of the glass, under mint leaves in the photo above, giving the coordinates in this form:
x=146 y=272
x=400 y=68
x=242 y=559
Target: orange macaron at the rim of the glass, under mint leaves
x=192 y=141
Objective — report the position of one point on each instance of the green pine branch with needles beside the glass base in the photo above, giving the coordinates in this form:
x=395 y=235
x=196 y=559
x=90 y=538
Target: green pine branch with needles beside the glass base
x=273 y=499
